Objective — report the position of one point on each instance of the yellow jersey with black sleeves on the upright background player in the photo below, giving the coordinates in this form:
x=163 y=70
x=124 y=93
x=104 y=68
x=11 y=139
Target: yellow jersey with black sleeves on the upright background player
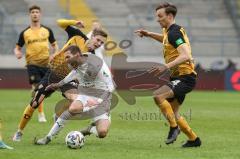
x=36 y=41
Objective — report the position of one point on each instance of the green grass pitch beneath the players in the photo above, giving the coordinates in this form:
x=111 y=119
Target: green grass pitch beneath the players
x=136 y=132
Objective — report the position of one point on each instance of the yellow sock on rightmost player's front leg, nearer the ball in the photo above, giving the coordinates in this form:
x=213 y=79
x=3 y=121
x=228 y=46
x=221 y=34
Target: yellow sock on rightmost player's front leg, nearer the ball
x=168 y=113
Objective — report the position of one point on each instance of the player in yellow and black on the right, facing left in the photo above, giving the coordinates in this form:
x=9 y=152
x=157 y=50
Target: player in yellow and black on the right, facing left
x=178 y=58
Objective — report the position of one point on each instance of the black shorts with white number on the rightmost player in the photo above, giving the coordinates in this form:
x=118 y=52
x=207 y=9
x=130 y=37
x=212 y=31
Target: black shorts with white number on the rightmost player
x=181 y=86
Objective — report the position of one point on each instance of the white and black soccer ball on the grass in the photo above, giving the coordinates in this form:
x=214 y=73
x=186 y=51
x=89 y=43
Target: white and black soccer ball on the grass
x=74 y=140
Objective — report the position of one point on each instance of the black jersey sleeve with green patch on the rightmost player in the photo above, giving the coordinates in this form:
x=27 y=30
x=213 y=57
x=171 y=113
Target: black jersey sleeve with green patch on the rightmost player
x=175 y=38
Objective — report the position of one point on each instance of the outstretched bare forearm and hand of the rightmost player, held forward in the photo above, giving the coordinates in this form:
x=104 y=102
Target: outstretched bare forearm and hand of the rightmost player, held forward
x=146 y=33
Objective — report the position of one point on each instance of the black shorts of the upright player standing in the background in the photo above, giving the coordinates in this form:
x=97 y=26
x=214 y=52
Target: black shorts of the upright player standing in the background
x=36 y=73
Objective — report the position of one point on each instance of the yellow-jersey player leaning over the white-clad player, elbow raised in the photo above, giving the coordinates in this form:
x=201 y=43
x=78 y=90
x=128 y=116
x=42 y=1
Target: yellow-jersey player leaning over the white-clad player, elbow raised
x=59 y=68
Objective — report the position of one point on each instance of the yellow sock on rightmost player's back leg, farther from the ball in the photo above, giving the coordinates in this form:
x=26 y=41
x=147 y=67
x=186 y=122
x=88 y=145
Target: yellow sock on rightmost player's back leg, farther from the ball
x=185 y=128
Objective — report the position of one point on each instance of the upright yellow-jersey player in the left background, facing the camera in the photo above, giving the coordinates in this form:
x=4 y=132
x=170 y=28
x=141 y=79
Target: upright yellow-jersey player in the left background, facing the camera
x=36 y=39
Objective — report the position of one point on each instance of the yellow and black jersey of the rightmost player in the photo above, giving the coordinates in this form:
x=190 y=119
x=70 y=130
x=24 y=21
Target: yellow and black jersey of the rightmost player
x=172 y=38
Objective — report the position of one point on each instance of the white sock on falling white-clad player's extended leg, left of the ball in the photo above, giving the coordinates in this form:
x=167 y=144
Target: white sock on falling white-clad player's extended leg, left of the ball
x=59 y=124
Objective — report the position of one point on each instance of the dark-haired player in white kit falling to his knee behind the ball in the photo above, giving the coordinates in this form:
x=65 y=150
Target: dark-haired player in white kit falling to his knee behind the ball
x=94 y=93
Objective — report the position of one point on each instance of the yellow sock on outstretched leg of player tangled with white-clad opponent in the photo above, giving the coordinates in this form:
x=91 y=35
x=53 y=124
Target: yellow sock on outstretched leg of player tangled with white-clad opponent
x=27 y=114
